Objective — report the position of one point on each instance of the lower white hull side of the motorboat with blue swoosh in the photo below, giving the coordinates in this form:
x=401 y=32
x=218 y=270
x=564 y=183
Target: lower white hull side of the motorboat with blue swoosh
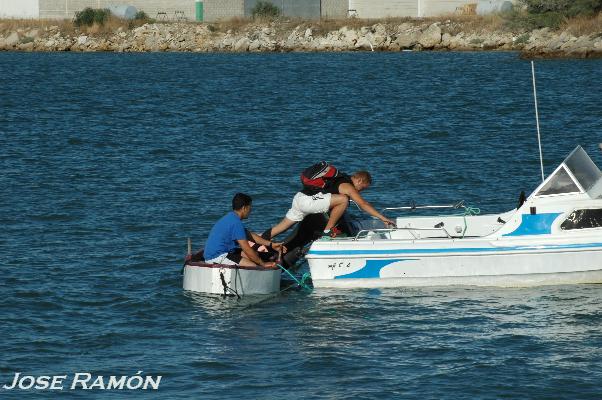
x=508 y=267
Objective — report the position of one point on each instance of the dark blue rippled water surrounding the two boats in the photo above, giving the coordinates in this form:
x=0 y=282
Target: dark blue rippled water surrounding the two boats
x=109 y=162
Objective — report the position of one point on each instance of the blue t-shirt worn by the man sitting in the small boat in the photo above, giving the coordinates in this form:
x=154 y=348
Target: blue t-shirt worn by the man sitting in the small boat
x=223 y=236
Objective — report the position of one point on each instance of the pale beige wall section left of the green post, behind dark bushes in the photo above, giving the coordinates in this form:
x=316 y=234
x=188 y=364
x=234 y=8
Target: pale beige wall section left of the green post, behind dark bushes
x=57 y=9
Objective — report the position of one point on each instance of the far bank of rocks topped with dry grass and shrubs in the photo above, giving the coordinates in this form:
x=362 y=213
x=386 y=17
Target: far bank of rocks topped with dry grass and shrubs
x=579 y=36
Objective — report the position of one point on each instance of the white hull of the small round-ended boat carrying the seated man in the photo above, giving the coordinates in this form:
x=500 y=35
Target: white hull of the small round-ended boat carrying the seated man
x=206 y=278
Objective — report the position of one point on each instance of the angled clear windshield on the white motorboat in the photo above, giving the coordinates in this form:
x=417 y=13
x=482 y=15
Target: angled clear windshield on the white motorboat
x=582 y=169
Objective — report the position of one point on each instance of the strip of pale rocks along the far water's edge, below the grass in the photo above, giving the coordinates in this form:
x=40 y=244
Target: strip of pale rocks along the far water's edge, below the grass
x=304 y=37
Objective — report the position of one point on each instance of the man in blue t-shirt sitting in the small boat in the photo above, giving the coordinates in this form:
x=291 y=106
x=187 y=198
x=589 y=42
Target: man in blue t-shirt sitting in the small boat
x=228 y=242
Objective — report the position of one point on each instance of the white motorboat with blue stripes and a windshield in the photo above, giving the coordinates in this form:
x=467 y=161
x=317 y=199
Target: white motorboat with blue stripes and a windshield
x=553 y=237
